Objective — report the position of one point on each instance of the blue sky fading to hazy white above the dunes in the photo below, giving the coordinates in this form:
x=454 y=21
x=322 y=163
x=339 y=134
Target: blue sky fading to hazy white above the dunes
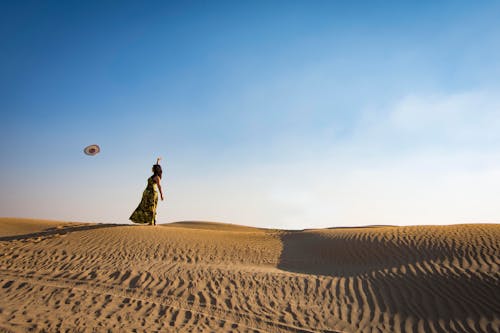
x=277 y=114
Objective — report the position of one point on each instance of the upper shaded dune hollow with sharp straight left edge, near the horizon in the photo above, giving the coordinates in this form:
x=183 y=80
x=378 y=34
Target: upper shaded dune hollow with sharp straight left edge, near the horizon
x=342 y=255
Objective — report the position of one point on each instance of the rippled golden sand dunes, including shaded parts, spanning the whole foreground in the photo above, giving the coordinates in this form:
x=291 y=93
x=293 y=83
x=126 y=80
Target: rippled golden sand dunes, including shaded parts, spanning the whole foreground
x=206 y=277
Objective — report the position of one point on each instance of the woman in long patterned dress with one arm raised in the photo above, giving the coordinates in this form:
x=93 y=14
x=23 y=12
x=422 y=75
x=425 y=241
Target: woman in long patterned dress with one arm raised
x=145 y=213
